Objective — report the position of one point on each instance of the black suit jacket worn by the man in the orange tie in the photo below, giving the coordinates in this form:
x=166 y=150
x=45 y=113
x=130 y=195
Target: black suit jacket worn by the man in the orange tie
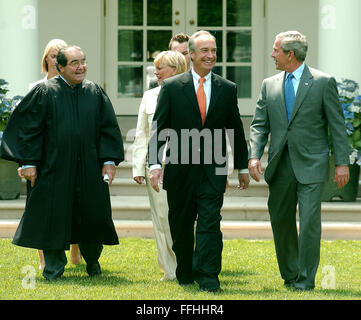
x=177 y=109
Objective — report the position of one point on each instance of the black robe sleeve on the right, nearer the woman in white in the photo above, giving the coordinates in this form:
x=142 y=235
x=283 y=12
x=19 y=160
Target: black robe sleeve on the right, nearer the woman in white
x=110 y=142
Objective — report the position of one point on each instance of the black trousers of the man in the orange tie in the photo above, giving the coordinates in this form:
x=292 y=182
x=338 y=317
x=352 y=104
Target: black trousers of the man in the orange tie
x=202 y=261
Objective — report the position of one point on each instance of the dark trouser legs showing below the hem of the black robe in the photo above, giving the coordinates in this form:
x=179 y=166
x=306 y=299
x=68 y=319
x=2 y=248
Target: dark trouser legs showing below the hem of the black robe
x=55 y=260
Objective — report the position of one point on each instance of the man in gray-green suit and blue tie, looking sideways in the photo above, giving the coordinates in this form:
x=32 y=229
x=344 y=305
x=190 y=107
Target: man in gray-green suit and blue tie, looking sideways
x=296 y=107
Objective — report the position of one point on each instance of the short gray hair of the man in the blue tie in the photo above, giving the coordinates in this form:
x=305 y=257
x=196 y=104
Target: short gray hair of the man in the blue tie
x=294 y=41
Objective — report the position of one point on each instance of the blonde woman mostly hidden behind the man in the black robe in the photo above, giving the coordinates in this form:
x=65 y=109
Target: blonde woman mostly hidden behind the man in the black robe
x=48 y=67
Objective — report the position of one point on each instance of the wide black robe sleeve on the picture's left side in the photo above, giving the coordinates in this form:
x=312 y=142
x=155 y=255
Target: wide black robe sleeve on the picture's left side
x=22 y=138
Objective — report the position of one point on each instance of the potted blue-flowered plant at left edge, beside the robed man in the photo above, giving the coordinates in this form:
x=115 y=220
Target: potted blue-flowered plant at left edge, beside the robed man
x=10 y=183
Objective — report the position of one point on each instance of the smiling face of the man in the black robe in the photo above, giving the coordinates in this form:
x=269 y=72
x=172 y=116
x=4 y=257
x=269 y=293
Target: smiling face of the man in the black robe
x=75 y=70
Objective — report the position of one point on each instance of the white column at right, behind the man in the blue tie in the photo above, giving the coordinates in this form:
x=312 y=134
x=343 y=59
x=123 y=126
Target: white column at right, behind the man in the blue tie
x=339 y=38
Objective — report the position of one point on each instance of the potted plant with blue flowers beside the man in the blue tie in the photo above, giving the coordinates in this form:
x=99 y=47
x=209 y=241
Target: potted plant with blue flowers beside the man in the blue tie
x=350 y=100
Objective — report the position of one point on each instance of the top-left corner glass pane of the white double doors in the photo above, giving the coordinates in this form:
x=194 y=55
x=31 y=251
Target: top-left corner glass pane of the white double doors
x=130 y=13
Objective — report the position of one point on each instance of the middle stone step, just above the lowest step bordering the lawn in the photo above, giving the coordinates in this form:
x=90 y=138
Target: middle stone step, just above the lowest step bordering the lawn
x=234 y=209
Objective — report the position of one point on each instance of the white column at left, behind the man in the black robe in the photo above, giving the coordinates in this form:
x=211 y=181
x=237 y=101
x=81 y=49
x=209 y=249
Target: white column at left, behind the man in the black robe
x=19 y=63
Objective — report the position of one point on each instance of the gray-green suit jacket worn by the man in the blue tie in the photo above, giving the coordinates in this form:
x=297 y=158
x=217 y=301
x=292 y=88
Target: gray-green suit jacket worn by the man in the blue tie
x=316 y=110
